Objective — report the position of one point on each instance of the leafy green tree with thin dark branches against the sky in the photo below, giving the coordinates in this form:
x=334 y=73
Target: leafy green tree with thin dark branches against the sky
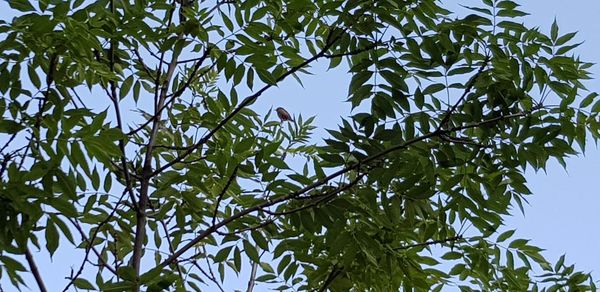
x=409 y=192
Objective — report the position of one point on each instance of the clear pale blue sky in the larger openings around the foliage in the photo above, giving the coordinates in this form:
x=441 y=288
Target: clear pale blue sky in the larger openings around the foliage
x=562 y=214
